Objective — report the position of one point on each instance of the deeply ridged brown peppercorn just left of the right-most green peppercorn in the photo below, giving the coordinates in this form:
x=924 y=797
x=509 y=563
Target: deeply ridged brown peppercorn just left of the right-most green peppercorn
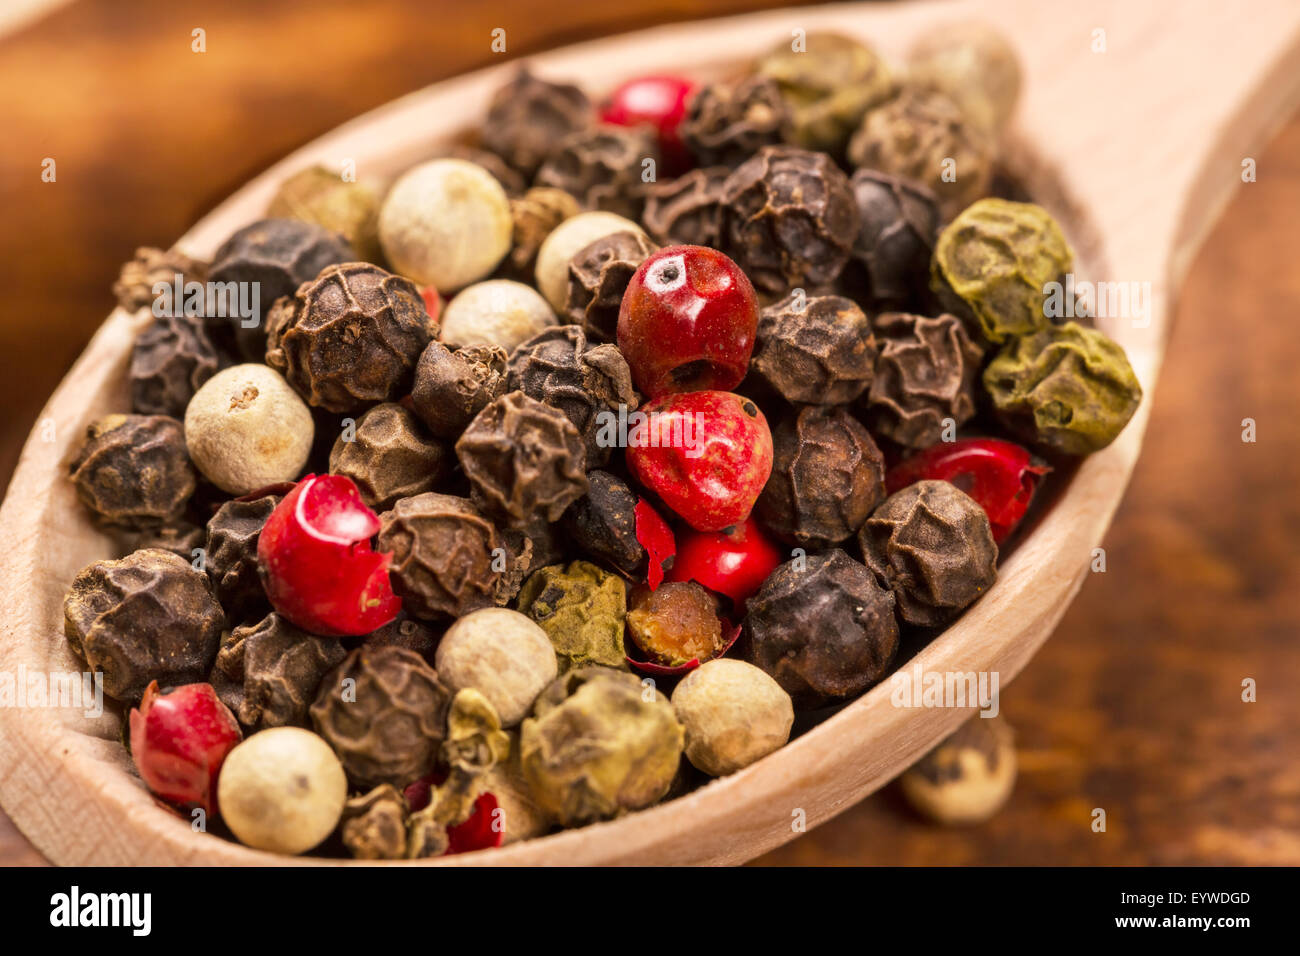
x=926 y=378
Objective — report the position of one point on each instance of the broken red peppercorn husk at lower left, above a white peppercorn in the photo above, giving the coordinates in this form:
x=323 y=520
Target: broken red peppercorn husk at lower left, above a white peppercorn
x=180 y=741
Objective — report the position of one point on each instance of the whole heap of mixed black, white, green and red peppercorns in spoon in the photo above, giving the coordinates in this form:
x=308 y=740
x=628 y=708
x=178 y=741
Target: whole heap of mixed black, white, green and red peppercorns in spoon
x=721 y=362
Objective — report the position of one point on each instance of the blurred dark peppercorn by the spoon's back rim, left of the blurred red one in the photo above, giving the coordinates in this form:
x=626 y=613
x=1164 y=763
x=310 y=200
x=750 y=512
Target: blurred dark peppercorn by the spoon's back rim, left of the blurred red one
x=528 y=116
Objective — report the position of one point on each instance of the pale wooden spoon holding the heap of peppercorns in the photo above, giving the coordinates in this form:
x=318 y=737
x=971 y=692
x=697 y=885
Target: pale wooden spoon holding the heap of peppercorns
x=1134 y=127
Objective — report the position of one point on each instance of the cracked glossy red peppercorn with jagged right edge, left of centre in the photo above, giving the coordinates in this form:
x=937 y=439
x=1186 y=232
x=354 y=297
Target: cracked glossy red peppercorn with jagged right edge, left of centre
x=317 y=561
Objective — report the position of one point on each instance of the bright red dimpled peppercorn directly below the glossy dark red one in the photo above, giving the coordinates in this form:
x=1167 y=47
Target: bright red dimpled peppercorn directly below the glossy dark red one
x=707 y=455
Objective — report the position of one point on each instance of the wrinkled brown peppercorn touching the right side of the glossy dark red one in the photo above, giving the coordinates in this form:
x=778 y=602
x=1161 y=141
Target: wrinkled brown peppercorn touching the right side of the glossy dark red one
x=816 y=351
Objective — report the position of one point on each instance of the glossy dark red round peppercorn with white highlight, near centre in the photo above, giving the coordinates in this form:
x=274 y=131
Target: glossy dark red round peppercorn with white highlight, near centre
x=688 y=322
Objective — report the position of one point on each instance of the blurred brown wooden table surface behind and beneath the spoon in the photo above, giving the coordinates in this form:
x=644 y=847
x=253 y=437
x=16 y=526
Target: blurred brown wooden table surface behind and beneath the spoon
x=1134 y=706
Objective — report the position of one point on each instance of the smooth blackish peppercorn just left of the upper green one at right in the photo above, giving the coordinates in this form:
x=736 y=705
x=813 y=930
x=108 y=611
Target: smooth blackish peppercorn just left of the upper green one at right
x=900 y=224
